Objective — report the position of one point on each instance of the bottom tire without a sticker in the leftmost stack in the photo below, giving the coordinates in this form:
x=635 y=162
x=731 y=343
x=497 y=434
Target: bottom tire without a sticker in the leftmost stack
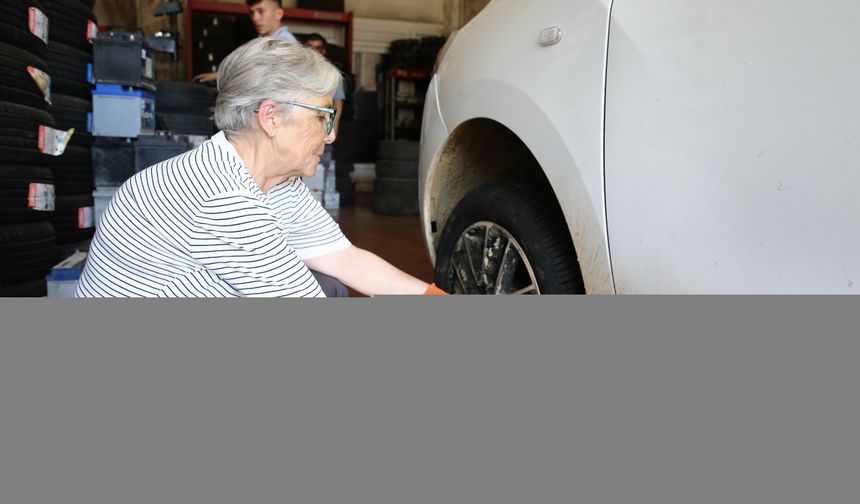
x=27 y=252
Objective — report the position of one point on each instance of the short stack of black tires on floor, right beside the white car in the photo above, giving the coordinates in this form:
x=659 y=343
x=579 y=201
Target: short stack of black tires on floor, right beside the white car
x=395 y=189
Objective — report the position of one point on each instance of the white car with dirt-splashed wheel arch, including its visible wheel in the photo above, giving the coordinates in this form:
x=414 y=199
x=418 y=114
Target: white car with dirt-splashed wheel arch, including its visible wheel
x=646 y=146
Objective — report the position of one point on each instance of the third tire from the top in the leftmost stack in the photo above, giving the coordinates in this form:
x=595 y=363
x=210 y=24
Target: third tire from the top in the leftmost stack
x=19 y=134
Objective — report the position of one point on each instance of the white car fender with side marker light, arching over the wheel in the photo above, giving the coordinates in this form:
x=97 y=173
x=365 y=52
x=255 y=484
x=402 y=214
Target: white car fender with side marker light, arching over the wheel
x=537 y=92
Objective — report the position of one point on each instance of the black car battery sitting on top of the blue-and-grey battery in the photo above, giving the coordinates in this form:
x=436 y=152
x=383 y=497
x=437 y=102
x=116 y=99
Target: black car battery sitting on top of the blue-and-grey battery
x=123 y=58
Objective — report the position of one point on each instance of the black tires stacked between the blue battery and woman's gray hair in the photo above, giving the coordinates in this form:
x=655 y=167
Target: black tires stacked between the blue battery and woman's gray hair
x=184 y=108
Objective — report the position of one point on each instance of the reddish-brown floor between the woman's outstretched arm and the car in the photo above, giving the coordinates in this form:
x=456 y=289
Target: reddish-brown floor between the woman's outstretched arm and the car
x=396 y=239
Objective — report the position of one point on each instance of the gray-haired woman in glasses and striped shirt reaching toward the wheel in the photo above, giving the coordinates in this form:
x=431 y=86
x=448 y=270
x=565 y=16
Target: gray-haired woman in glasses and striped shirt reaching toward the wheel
x=232 y=217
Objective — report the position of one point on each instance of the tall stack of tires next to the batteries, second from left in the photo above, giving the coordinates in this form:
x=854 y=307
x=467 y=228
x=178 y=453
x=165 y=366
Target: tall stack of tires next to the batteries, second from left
x=69 y=56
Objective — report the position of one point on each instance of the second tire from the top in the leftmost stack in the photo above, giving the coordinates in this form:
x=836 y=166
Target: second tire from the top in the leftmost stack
x=16 y=83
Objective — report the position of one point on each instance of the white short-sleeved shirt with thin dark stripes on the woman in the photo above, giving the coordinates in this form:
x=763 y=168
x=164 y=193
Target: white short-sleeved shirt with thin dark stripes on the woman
x=197 y=225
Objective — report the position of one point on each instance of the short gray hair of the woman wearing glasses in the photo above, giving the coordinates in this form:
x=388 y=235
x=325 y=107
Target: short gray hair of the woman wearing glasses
x=268 y=68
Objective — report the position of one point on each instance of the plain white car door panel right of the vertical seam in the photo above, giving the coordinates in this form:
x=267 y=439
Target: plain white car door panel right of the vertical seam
x=732 y=146
